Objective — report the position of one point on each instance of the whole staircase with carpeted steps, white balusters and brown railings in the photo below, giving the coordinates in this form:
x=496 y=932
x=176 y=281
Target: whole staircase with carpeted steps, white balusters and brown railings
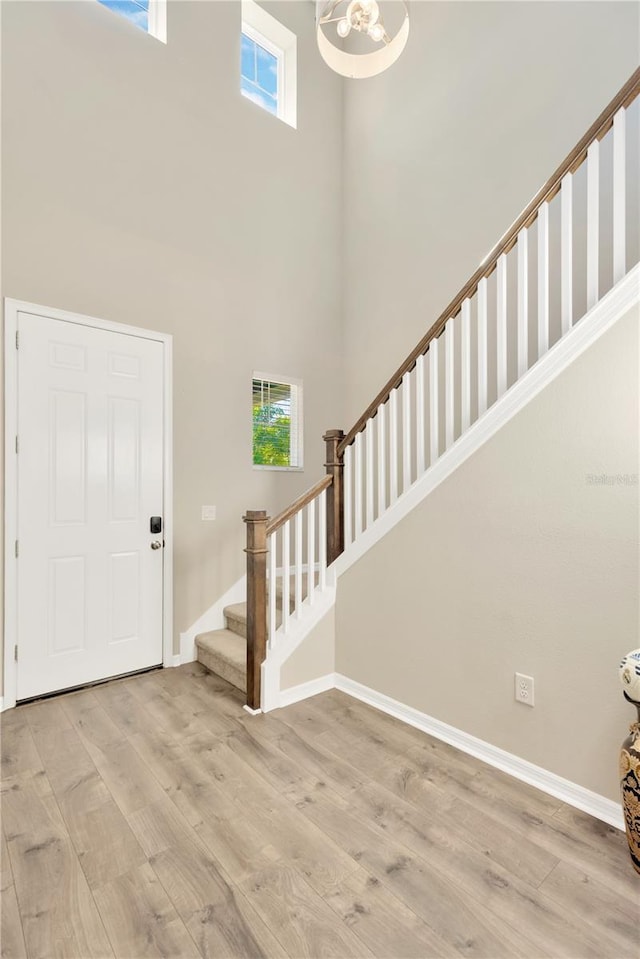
x=513 y=323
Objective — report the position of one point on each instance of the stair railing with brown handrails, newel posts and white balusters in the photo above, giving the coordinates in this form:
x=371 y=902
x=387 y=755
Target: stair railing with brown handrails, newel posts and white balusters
x=572 y=243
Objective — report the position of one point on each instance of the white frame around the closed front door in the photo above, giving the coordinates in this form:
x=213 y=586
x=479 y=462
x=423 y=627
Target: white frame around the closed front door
x=11 y=310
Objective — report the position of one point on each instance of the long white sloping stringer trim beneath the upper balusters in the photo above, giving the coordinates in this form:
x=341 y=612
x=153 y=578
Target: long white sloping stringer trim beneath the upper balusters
x=611 y=308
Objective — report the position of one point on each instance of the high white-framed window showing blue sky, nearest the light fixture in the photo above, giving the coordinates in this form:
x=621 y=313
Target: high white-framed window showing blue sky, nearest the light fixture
x=268 y=63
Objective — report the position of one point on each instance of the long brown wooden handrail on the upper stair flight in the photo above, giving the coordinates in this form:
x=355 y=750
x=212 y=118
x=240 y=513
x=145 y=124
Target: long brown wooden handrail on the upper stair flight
x=596 y=131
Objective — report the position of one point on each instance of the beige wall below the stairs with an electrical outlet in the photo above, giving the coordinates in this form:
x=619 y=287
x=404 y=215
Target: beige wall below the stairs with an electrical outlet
x=517 y=563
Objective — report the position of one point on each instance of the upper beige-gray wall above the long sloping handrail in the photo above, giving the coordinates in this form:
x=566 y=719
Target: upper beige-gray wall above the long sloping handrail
x=444 y=150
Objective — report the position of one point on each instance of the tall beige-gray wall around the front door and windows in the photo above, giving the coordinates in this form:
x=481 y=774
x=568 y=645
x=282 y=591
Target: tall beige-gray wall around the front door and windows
x=139 y=186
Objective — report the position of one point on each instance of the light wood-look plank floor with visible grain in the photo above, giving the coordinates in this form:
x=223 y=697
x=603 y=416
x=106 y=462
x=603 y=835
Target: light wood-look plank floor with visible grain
x=152 y=816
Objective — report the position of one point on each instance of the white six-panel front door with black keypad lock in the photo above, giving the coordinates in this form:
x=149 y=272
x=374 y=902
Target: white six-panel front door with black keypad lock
x=90 y=477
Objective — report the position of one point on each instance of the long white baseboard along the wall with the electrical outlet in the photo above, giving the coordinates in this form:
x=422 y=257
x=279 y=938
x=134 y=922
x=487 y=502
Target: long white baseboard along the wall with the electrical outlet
x=548 y=782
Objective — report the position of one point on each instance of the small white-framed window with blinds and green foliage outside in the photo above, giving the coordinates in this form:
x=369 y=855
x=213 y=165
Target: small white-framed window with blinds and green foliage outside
x=277 y=422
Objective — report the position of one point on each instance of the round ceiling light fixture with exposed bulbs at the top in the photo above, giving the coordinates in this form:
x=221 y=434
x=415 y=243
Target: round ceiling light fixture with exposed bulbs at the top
x=363 y=17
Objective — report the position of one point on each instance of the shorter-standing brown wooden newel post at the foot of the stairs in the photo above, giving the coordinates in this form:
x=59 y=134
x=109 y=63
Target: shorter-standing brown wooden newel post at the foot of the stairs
x=256 y=551
